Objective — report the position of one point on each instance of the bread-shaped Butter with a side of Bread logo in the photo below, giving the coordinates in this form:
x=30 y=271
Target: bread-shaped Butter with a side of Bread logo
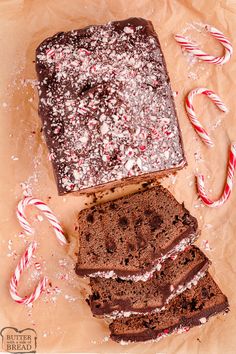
x=19 y=341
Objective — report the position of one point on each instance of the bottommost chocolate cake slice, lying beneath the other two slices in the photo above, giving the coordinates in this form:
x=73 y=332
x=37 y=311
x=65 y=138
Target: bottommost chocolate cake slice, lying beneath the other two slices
x=191 y=308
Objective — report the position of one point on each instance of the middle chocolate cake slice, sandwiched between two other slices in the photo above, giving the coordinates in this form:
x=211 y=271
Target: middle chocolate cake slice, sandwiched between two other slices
x=116 y=297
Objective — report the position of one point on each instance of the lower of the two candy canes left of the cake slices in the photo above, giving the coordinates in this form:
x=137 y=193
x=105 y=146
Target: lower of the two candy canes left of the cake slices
x=17 y=274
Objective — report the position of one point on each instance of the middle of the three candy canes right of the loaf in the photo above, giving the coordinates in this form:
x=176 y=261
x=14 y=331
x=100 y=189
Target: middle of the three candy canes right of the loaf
x=192 y=115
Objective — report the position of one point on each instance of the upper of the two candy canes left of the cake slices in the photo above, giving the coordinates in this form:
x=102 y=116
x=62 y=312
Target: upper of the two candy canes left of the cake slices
x=46 y=211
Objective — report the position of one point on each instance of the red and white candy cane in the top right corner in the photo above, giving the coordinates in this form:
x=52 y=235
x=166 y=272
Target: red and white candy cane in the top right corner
x=194 y=49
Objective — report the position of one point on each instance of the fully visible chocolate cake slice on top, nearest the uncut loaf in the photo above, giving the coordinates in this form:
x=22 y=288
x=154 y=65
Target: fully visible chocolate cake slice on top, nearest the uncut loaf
x=130 y=237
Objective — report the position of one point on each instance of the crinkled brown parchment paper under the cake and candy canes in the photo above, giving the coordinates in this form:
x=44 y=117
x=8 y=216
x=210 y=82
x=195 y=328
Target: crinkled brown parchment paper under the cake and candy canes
x=61 y=317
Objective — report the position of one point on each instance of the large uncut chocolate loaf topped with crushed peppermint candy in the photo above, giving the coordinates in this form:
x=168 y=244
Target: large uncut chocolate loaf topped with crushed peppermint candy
x=107 y=107
